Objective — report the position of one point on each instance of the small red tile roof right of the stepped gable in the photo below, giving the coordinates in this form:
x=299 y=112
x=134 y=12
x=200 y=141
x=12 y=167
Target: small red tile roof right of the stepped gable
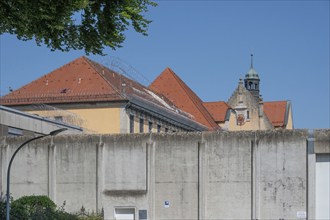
x=276 y=112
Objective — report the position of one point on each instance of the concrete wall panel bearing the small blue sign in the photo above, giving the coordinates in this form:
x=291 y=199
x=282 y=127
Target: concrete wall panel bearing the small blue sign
x=176 y=177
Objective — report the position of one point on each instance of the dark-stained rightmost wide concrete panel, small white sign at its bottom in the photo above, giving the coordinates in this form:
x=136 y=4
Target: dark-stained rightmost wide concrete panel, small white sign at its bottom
x=282 y=174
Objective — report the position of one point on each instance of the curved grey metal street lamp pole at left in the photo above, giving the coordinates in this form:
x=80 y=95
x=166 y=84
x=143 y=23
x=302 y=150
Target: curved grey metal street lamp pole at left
x=53 y=133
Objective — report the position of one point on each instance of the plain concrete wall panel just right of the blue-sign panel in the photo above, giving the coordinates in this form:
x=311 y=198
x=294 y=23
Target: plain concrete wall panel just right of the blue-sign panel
x=229 y=169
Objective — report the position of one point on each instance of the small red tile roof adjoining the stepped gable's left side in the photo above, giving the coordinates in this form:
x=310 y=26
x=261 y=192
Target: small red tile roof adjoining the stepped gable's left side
x=218 y=110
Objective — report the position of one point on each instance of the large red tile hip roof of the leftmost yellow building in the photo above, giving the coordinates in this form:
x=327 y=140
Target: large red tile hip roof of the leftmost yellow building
x=83 y=80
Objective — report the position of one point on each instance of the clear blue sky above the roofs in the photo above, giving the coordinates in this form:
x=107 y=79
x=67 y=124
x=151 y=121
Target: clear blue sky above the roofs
x=208 y=44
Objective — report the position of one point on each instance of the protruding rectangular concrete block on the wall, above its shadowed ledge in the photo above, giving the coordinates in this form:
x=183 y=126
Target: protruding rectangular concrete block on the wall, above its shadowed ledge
x=126 y=162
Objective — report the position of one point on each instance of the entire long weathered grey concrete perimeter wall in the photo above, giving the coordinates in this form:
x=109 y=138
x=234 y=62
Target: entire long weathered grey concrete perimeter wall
x=227 y=175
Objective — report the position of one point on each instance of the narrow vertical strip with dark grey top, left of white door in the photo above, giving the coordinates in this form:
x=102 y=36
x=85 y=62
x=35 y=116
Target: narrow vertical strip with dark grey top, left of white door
x=310 y=175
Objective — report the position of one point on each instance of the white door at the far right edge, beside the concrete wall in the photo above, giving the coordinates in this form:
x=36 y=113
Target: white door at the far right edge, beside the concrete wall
x=322 y=187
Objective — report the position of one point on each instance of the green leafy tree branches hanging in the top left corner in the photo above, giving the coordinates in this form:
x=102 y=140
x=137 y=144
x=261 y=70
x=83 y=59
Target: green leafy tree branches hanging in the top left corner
x=74 y=24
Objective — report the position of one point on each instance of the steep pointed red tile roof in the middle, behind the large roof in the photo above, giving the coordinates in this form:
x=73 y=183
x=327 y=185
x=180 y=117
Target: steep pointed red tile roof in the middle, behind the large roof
x=171 y=86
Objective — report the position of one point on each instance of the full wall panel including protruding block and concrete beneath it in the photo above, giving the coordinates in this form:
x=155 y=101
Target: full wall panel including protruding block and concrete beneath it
x=122 y=173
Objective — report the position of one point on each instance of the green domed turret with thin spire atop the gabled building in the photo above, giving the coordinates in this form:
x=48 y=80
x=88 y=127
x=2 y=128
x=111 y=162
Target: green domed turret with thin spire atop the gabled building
x=252 y=81
